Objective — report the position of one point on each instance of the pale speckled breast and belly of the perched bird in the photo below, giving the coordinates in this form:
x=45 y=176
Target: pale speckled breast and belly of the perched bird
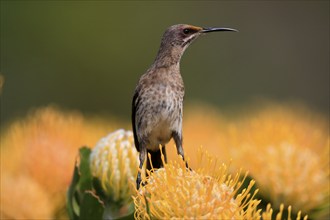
x=160 y=114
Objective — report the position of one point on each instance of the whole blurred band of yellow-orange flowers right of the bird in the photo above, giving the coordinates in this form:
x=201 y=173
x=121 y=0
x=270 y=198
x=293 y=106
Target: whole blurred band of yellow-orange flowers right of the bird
x=285 y=148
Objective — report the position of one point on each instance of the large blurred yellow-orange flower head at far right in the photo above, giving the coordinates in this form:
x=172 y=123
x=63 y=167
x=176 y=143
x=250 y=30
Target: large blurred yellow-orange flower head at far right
x=292 y=147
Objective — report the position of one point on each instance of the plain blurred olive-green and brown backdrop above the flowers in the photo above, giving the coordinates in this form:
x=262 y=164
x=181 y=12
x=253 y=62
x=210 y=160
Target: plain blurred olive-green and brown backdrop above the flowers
x=89 y=55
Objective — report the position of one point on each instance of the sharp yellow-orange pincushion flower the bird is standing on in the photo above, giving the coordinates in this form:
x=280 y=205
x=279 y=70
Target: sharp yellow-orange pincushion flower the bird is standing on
x=177 y=192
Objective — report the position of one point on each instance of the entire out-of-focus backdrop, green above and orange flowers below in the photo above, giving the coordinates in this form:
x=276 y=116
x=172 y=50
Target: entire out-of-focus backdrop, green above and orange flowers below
x=85 y=58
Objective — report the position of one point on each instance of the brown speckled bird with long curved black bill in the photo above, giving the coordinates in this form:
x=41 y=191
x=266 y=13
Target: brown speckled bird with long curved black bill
x=157 y=104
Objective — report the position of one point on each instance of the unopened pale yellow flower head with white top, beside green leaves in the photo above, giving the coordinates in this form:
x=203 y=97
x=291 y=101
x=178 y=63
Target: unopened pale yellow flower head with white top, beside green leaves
x=114 y=161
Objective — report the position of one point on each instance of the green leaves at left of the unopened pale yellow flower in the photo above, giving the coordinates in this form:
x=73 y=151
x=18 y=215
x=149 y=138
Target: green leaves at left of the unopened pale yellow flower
x=86 y=199
